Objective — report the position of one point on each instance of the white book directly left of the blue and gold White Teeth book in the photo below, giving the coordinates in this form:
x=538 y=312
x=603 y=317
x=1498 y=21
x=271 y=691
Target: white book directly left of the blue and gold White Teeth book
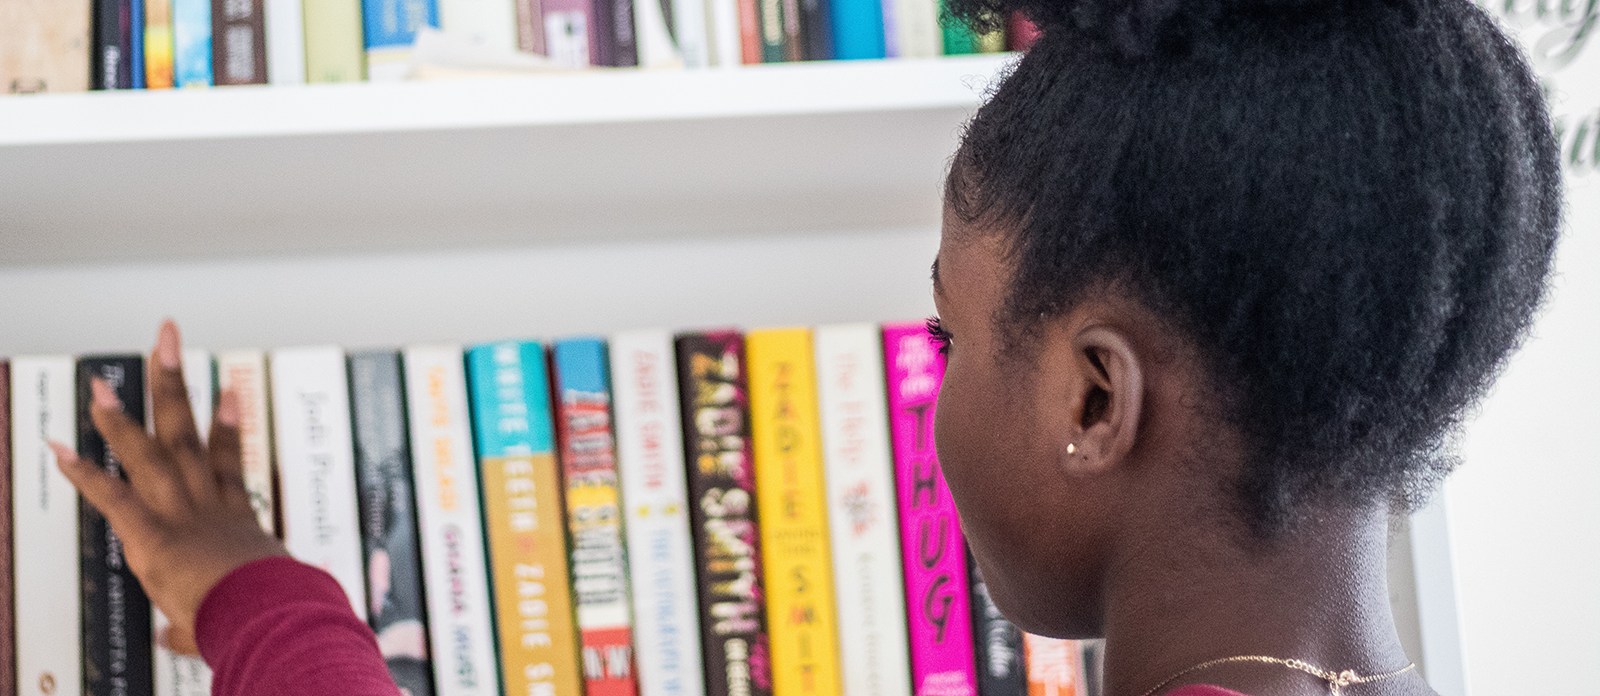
x=450 y=522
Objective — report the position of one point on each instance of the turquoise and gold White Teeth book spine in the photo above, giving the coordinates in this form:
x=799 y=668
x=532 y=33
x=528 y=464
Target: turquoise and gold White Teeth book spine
x=522 y=513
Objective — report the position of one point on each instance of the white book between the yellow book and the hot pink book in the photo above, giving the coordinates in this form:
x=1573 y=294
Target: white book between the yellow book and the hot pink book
x=868 y=585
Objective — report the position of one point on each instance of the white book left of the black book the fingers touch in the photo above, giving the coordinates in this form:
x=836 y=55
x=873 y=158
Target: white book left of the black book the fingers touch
x=46 y=526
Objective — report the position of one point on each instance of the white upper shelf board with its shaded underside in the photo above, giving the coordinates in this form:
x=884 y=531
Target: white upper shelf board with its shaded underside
x=375 y=167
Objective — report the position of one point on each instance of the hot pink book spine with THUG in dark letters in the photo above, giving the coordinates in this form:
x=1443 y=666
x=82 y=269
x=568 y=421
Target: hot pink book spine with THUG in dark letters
x=935 y=556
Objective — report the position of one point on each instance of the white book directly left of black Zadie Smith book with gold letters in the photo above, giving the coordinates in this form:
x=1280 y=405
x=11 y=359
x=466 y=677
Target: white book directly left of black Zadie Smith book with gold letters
x=655 y=503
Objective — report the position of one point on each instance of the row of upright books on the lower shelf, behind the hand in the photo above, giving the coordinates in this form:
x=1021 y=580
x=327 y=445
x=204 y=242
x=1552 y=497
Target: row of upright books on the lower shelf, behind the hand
x=705 y=514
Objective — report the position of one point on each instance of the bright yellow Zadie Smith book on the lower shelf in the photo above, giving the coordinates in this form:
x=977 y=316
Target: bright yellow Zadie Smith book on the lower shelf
x=793 y=506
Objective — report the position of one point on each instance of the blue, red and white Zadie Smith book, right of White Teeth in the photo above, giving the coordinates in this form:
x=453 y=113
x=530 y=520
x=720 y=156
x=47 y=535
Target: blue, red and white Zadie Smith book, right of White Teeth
x=594 y=518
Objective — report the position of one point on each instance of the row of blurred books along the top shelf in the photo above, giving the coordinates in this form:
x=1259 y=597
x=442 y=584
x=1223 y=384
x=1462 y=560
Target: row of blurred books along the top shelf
x=74 y=46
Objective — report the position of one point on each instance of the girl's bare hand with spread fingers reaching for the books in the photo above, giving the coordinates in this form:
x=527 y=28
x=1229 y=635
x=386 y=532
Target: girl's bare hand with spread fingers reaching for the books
x=183 y=514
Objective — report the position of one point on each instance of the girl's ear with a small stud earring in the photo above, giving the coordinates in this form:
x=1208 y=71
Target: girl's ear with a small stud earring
x=1105 y=402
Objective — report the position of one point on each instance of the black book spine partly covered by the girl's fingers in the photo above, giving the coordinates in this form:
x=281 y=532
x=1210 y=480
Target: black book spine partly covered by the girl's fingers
x=116 y=620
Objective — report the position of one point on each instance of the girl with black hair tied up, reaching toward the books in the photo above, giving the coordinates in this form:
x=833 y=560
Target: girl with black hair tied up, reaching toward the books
x=1218 y=281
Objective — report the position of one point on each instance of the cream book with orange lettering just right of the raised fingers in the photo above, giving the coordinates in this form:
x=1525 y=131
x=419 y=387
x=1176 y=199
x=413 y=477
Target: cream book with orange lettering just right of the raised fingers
x=246 y=375
